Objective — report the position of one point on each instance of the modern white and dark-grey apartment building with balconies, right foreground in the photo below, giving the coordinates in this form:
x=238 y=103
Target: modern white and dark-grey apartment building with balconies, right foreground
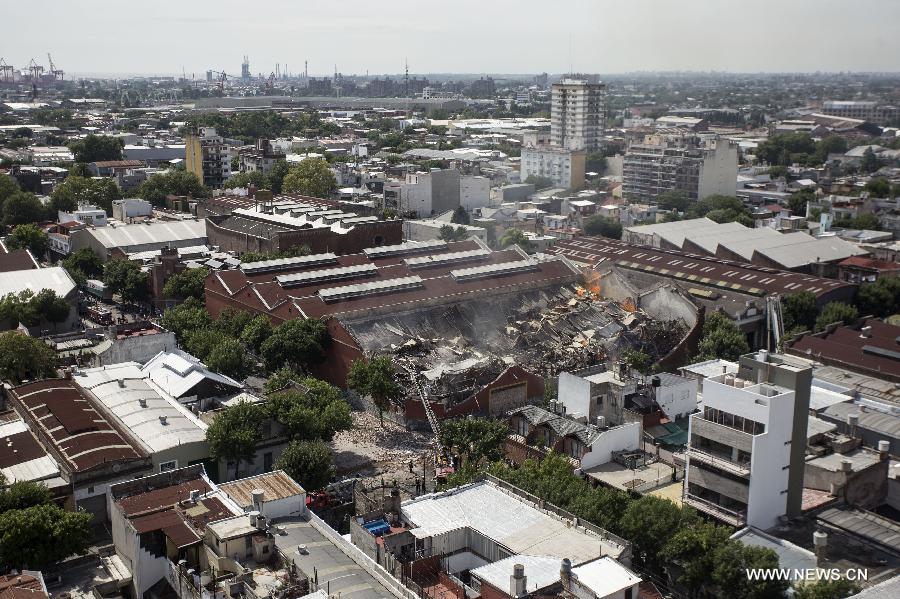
x=746 y=448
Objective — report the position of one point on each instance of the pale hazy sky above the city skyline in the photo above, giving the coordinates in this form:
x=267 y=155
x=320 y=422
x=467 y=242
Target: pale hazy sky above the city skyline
x=462 y=36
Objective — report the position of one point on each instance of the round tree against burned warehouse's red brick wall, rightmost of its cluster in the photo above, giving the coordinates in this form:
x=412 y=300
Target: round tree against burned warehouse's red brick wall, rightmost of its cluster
x=295 y=343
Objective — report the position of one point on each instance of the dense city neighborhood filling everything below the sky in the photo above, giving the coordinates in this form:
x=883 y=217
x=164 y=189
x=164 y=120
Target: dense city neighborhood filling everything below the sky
x=273 y=335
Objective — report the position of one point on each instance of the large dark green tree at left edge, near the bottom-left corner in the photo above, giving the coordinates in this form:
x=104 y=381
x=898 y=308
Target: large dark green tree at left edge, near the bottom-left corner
x=42 y=535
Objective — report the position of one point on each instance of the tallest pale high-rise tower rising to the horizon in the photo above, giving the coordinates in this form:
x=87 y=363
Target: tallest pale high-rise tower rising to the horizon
x=577 y=113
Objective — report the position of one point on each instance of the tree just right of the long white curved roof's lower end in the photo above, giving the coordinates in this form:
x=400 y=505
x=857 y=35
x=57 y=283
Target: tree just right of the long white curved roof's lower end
x=235 y=432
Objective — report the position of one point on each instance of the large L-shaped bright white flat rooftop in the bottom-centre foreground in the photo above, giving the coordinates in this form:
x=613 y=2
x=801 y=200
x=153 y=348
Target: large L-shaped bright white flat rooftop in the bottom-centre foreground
x=507 y=519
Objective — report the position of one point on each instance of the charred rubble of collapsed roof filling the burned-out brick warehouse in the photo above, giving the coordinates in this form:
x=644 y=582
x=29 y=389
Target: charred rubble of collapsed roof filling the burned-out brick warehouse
x=452 y=352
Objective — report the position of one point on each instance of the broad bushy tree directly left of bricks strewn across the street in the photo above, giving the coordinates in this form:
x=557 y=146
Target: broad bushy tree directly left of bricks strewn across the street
x=313 y=410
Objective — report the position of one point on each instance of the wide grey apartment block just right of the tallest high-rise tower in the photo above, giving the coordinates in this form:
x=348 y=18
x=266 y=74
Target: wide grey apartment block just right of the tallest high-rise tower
x=662 y=163
